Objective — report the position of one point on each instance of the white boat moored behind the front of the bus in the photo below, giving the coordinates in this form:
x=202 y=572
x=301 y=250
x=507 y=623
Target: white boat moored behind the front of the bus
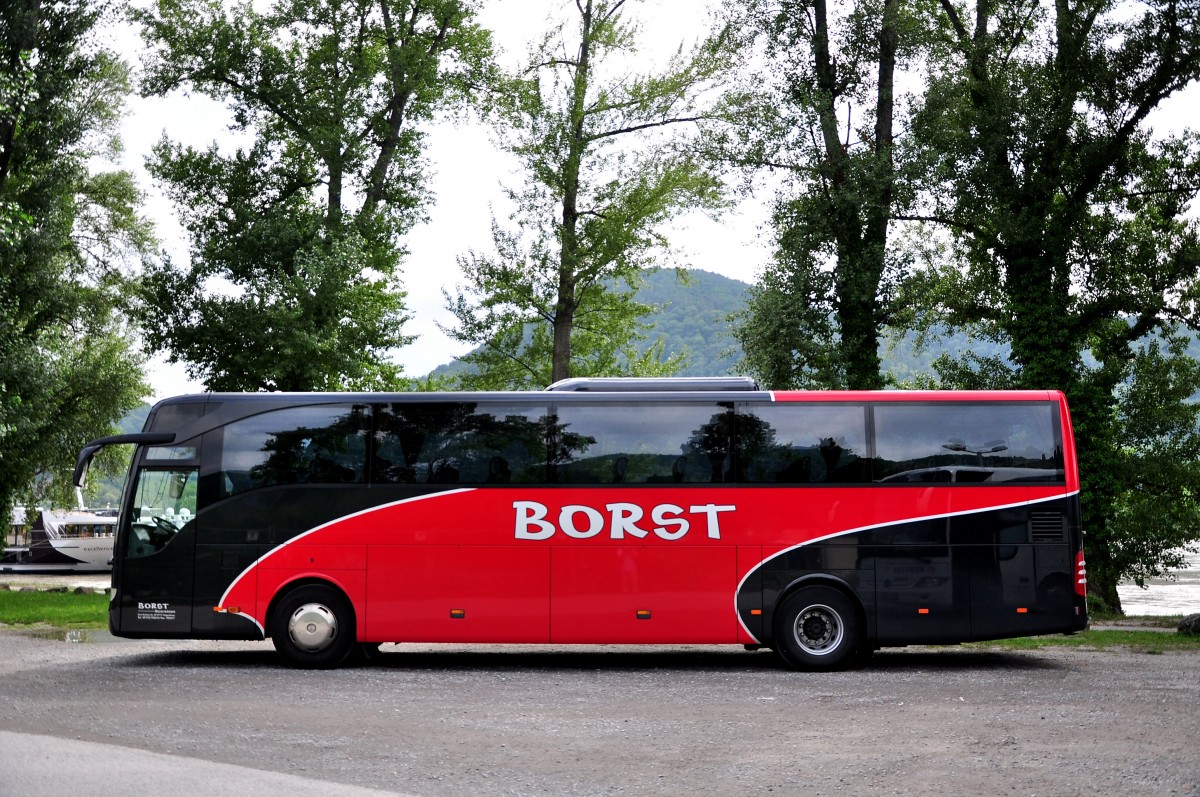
x=65 y=542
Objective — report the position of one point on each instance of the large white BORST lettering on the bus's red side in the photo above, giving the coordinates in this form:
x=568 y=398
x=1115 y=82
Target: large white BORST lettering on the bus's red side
x=620 y=519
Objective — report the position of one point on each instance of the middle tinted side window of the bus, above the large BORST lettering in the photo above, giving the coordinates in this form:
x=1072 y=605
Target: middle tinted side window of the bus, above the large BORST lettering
x=650 y=444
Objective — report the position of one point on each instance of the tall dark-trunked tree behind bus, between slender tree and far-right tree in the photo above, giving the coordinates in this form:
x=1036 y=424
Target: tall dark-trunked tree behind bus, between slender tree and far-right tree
x=817 y=315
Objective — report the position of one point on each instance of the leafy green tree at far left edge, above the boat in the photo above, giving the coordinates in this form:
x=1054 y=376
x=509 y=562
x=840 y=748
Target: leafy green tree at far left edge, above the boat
x=68 y=363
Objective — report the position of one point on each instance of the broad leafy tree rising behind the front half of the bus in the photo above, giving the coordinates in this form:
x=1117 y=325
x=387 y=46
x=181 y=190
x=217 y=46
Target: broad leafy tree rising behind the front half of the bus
x=293 y=283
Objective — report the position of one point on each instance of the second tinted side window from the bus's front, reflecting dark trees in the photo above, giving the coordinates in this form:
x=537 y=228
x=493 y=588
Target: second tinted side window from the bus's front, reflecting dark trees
x=460 y=444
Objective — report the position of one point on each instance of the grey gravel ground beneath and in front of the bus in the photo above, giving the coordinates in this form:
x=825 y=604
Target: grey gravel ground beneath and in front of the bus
x=449 y=721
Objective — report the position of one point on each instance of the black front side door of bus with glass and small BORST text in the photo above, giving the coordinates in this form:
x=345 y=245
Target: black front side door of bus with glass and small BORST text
x=154 y=560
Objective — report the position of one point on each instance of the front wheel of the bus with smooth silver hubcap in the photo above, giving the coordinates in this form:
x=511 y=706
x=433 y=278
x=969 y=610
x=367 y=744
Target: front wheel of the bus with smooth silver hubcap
x=314 y=628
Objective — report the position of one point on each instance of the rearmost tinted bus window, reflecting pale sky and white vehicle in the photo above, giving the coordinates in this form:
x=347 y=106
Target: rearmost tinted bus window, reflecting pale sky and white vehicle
x=968 y=444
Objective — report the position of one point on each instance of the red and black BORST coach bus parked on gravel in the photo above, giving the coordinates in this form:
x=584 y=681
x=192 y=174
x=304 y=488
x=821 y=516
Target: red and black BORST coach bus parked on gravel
x=823 y=525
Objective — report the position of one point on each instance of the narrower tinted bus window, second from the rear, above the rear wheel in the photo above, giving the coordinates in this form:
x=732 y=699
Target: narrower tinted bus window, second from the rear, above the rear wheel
x=803 y=444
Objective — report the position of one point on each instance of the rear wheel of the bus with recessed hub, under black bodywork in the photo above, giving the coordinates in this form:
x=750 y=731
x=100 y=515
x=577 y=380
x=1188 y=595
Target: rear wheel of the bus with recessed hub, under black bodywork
x=818 y=628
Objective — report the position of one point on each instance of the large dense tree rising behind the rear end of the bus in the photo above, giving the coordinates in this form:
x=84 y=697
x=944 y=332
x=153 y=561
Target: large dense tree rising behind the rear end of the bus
x=1069 y=217
